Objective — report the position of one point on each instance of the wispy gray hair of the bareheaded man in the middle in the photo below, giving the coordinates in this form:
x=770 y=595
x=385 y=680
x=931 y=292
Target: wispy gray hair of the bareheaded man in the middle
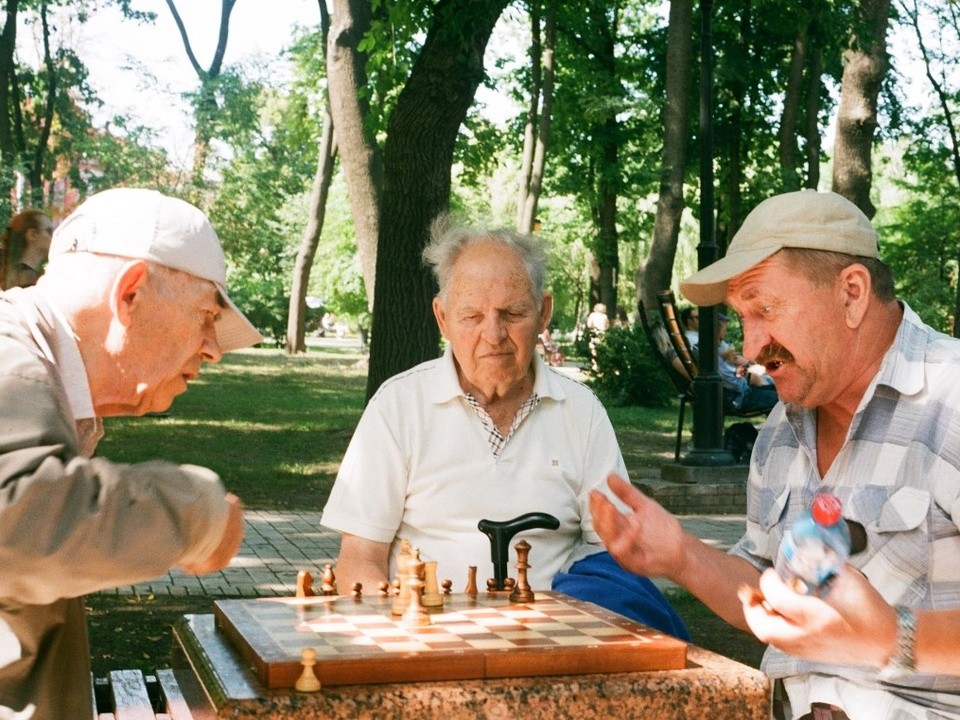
x=448 y=241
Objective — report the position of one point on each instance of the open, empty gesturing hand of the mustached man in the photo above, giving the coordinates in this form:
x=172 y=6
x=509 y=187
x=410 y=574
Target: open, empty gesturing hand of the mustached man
x=647 y=540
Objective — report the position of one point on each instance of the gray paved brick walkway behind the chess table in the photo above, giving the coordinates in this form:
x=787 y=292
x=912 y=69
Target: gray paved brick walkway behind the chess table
x=277 y=545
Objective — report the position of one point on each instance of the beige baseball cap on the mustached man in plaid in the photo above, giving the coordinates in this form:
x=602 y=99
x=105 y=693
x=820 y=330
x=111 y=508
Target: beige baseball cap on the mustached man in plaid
x=802 y=219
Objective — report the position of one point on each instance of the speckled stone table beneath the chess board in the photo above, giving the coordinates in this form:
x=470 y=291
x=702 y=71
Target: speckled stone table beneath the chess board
x=217 y=684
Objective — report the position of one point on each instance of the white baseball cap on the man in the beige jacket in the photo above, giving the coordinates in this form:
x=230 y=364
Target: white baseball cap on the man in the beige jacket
x=148 y=225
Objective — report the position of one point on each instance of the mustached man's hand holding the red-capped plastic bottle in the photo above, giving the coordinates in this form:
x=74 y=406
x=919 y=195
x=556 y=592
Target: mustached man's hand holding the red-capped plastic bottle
x=852 y=625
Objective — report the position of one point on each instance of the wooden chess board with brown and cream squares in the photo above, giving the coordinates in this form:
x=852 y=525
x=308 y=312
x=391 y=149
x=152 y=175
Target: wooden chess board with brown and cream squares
x=358 y=641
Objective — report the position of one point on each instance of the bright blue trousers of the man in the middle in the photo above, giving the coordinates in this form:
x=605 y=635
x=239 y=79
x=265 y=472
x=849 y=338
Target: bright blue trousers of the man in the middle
x=600 y=580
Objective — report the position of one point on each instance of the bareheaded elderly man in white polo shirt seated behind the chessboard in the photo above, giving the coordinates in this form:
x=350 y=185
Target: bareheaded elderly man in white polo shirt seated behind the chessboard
x=488 y=431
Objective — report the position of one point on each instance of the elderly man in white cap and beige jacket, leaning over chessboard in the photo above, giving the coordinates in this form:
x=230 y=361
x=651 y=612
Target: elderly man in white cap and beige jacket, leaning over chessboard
x=132 y=303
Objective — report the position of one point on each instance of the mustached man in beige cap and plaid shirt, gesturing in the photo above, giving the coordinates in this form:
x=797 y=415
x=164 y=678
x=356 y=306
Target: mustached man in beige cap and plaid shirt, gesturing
x=869 y=412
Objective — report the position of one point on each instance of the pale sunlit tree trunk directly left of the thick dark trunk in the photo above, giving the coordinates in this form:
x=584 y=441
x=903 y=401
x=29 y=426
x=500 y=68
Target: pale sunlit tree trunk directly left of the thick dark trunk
x=359 y=153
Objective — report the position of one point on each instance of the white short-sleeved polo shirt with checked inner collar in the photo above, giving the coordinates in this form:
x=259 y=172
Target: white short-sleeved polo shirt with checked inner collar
x=420 y=468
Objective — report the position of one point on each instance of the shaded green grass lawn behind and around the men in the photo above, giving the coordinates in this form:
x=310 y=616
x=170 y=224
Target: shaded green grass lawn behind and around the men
x=274 y=428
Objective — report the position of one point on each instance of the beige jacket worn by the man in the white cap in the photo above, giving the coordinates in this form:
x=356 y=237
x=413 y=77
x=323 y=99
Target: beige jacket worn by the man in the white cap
x=71 y=524
